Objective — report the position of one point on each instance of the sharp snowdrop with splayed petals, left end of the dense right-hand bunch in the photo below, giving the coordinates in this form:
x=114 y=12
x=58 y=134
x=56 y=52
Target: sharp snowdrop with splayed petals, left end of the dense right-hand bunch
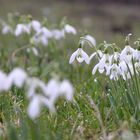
x=103 y=64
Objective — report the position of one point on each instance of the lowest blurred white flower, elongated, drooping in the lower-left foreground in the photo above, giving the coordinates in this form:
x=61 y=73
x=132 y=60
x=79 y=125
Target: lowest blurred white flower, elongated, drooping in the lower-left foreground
x=34 y=107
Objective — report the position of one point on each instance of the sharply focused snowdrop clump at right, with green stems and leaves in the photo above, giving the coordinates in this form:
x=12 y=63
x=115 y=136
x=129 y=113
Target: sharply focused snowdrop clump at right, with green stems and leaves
x=121 y=69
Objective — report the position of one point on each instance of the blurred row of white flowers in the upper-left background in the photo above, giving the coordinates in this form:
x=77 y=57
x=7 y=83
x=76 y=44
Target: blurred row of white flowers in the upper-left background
x=39 y=33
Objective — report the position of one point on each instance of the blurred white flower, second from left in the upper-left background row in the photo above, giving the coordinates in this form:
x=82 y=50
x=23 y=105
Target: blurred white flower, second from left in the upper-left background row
x=22 y=28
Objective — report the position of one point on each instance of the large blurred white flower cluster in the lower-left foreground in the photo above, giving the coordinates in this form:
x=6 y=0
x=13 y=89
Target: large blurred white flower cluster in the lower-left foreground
x=38 y=92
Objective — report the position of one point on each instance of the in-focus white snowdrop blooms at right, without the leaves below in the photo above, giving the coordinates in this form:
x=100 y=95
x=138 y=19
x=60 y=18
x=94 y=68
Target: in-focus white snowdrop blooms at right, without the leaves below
x=113 y=63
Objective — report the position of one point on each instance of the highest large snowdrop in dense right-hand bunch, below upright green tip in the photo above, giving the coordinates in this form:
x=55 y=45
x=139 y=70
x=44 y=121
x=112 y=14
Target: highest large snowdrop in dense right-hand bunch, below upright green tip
x=127 y=53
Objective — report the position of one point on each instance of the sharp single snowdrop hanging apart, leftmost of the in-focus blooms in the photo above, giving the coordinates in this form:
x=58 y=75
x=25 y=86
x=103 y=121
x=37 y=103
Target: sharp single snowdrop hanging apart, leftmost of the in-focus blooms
x=80 y=55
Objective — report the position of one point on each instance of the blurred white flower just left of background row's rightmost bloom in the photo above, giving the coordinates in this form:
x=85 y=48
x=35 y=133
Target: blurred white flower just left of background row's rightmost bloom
x=58 y=34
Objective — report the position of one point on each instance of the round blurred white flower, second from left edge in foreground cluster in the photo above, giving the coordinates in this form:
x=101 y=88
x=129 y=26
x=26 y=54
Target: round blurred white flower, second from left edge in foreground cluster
x=17 y=77
